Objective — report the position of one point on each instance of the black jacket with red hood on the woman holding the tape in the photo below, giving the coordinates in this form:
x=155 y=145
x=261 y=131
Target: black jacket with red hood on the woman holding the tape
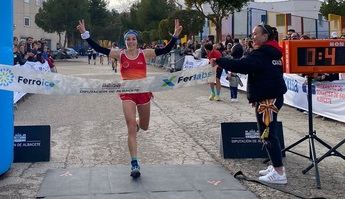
x=264 y=69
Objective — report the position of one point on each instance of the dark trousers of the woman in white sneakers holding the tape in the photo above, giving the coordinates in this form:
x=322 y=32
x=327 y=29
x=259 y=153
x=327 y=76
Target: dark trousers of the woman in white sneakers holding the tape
x=272 y=144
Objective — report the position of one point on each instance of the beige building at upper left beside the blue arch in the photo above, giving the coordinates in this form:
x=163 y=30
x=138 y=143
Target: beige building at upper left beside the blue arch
x=24 y=22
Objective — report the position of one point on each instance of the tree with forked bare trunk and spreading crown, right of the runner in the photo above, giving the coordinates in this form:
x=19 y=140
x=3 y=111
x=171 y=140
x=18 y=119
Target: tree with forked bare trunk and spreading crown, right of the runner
x=219 y=10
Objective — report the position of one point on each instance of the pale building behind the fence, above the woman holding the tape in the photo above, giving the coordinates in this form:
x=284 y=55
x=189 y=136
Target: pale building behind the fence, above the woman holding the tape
x=303 y=15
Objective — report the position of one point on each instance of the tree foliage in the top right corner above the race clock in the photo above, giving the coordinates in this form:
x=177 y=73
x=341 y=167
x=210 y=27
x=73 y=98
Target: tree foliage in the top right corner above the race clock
x=332 y=7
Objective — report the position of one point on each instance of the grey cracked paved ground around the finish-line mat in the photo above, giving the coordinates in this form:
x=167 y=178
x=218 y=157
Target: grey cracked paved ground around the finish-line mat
x=89 y=134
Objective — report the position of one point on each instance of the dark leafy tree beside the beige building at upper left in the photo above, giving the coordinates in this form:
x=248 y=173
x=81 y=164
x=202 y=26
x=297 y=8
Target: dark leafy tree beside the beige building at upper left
x=61 y=16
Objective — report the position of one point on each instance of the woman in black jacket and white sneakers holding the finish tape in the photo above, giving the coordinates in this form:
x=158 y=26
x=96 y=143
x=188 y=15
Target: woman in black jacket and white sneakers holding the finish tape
x=265 y=90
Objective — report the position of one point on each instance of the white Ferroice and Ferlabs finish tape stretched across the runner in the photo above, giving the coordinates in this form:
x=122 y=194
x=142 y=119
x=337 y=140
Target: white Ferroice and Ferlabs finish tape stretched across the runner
x=22 y=79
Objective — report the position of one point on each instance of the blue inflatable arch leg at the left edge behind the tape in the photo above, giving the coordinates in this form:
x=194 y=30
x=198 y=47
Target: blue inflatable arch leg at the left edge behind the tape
x=6 y=97
